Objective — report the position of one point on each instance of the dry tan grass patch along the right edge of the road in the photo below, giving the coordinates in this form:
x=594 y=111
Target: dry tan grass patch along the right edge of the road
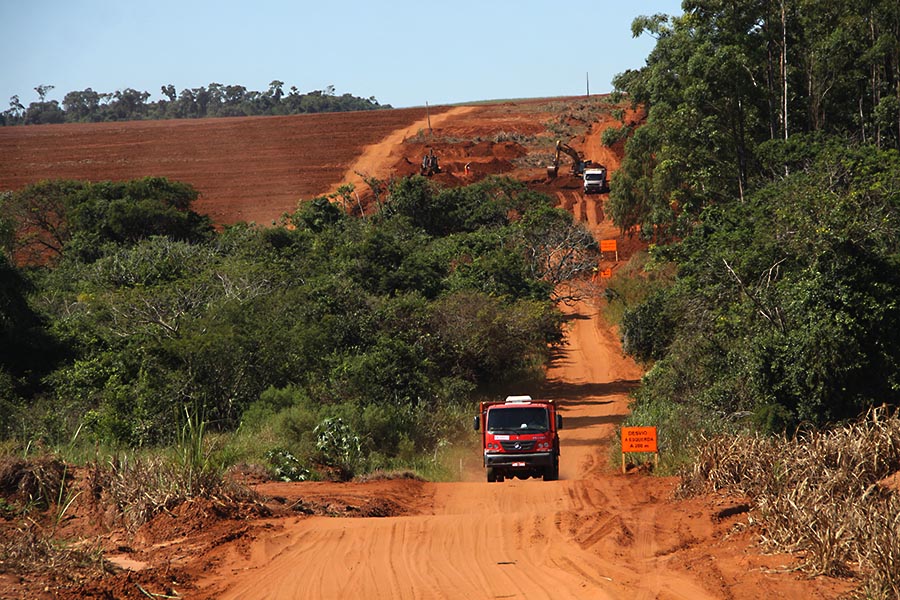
x=819 y=495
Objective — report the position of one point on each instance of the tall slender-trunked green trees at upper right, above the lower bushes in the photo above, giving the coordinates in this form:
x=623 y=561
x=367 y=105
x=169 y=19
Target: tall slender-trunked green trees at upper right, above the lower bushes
x=726 y=78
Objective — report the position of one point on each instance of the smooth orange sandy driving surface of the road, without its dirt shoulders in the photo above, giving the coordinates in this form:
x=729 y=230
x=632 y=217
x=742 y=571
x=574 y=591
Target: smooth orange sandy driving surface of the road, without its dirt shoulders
x=585 y=536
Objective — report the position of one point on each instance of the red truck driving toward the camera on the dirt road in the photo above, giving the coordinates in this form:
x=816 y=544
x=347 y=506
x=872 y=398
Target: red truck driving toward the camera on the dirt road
x=520 y=438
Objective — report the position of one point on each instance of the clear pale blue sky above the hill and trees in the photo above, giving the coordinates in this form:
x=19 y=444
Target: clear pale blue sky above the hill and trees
x=403 y=53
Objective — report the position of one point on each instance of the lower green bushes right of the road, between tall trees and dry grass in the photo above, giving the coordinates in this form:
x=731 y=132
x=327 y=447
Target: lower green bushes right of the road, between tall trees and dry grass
x=784 y=306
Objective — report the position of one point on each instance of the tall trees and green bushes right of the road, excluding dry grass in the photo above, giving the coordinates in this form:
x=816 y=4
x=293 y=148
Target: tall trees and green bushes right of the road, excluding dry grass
x=767 y=175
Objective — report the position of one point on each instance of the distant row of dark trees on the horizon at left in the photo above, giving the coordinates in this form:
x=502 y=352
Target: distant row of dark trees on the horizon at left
x=214 y=100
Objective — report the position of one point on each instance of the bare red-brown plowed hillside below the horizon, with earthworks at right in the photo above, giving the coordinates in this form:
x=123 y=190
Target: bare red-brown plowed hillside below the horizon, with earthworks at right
x=255 y=169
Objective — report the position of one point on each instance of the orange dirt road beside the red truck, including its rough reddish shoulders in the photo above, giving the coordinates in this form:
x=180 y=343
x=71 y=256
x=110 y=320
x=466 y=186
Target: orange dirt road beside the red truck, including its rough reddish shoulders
x=595 y=534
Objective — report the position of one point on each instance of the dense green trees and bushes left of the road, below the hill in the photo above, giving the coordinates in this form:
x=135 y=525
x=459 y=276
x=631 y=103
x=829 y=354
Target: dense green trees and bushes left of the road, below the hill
x=368 y=335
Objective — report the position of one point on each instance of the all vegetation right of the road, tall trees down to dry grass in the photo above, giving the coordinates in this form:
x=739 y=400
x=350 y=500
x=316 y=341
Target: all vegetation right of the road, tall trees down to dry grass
x=766 y=178
